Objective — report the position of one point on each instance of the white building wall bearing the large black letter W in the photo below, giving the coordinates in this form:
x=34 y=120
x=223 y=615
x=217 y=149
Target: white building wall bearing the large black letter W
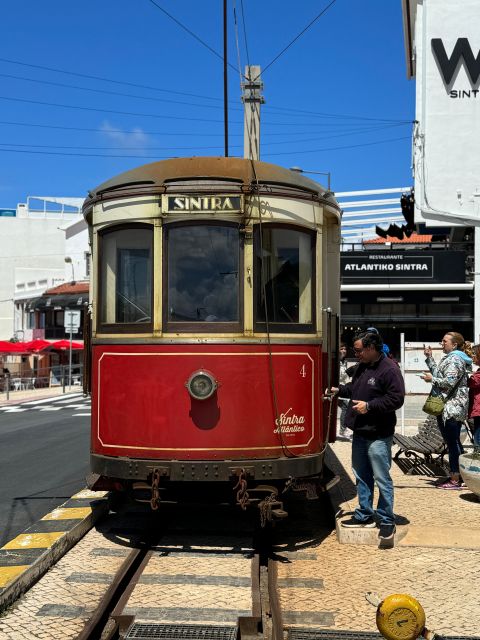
x=447 y=138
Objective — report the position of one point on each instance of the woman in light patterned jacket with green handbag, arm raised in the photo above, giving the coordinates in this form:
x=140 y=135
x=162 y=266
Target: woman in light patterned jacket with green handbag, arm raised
x=449 y=380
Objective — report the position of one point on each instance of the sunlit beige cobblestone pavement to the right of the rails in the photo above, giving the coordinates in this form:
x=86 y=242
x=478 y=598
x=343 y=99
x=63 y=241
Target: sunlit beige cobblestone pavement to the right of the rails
x=437 y=562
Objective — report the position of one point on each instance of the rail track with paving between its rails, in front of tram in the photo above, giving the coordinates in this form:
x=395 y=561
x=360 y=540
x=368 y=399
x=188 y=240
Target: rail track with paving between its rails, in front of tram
x=199 y=585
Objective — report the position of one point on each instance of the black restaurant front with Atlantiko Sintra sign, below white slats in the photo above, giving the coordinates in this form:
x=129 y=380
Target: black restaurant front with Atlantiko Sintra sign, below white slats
x=413 y=286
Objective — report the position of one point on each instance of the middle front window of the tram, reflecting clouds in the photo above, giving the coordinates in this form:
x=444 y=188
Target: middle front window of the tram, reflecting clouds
x=203 y=274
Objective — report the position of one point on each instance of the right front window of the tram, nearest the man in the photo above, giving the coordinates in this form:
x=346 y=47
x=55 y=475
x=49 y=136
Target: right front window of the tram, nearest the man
x=284 y=278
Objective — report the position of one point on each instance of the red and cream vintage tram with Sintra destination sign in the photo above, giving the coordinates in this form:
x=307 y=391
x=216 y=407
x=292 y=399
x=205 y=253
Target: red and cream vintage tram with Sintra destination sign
x=215 y=300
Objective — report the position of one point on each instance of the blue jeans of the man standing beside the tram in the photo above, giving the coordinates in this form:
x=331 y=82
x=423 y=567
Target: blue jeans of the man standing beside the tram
x=371 y=462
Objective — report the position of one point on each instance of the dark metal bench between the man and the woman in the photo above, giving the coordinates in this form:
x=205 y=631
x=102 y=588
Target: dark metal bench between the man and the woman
x=423 y=453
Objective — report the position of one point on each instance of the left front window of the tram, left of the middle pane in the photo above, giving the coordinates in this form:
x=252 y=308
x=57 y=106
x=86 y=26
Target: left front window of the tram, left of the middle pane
x=126 y=277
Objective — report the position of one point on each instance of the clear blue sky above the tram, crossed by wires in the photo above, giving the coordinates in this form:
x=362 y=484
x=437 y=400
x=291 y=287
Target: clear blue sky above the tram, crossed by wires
x=337 y=100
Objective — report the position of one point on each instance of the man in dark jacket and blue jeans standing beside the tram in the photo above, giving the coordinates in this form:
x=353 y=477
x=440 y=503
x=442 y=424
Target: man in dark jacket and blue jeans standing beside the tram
x=376 y=391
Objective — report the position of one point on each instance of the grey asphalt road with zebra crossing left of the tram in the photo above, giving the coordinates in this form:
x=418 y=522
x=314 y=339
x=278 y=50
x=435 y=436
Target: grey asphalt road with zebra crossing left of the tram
x=44 y=458
